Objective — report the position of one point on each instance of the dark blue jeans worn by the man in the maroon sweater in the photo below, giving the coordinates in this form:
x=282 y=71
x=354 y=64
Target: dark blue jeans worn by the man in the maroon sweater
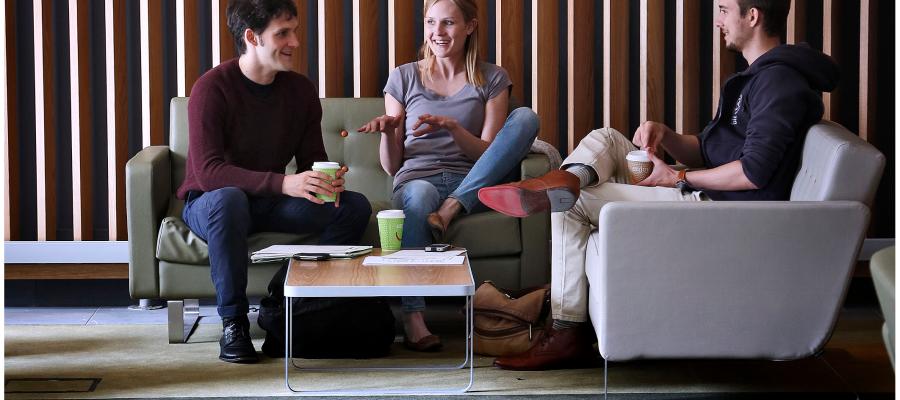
x=225 y=217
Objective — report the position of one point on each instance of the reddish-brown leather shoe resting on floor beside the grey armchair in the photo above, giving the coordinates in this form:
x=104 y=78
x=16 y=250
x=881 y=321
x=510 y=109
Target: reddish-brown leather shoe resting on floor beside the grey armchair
x=565 y=348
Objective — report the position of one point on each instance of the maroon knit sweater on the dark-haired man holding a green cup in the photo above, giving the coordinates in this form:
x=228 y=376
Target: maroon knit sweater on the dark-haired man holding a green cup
x=244 y=140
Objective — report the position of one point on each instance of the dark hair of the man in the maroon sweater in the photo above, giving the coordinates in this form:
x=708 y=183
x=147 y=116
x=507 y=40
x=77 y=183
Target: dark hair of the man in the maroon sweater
x=255 y=15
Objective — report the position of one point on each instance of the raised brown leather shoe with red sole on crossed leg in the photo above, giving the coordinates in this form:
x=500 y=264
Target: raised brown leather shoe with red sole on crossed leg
x=555 y=191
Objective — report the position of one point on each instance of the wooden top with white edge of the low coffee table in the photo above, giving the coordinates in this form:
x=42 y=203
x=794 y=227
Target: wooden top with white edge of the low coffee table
x=349 y=278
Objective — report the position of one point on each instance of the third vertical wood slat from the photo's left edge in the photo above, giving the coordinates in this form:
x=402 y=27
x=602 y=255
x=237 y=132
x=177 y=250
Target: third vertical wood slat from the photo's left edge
x=82 y=154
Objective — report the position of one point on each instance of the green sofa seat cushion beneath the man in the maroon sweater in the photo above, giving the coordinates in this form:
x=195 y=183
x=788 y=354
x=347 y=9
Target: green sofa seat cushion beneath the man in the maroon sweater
x=177 y=244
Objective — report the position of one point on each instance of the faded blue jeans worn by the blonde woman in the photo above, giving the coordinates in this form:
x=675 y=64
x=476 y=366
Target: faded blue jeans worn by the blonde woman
x=498 y=164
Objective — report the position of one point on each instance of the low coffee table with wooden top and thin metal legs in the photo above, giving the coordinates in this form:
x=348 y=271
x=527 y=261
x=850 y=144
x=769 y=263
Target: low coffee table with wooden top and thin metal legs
x=349 y=278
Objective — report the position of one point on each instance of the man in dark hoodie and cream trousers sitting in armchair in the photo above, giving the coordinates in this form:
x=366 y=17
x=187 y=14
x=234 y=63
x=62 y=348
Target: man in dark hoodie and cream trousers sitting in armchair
x=750 y=151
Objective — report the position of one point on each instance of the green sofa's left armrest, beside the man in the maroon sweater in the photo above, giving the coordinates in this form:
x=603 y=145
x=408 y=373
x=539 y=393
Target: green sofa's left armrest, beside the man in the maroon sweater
x=148 y=186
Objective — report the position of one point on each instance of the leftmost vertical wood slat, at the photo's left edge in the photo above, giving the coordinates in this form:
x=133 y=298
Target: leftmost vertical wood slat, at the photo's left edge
x=10 y=122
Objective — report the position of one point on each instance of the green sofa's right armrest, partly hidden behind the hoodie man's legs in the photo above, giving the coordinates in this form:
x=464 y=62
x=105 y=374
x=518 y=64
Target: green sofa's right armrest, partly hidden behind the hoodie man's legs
x=535 y=259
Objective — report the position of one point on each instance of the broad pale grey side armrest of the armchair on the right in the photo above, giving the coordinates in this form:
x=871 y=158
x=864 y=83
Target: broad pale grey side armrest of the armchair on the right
x=720 y=279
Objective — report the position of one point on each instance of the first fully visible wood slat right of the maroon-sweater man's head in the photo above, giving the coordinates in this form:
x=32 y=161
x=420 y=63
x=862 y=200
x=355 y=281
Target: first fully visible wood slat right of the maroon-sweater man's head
x=331 y=44
